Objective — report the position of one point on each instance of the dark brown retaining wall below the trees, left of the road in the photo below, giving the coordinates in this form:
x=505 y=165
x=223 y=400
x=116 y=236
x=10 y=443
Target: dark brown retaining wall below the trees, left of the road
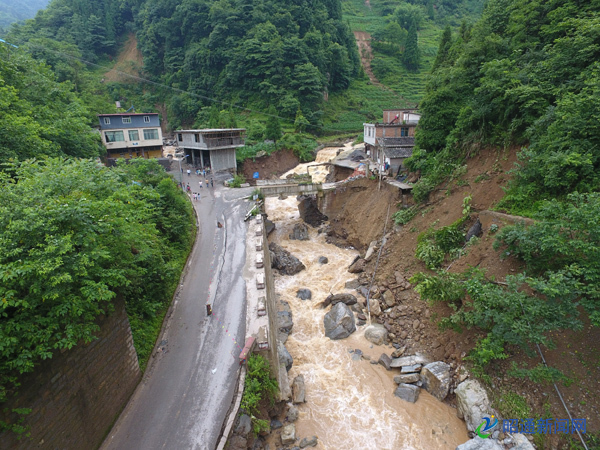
x=76 y=396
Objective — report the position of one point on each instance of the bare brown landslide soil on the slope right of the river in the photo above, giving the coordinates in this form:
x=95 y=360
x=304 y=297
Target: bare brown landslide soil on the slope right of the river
x=358 y=215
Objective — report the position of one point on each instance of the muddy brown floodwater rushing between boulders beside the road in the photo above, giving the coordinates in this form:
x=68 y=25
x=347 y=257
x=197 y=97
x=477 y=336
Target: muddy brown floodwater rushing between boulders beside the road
x=350 y=404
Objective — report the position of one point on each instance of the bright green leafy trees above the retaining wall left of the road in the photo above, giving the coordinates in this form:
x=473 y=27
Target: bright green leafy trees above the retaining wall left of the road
x=73 y=236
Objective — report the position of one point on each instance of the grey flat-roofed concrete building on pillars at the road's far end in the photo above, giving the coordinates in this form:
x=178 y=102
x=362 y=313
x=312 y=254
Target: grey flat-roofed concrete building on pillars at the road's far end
x=214 y=148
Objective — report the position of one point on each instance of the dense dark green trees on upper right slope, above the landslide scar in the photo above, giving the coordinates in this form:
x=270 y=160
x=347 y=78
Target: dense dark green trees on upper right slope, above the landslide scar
x=526 y=74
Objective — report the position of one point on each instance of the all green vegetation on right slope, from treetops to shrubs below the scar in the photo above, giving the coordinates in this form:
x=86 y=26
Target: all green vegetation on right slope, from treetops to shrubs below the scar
x=525 y=75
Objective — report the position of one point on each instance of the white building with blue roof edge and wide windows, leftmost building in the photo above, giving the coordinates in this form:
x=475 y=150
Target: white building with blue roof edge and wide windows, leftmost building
x=131 y=135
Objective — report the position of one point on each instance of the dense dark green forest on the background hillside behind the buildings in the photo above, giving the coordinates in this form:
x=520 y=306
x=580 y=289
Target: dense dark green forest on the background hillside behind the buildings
x=283 y=53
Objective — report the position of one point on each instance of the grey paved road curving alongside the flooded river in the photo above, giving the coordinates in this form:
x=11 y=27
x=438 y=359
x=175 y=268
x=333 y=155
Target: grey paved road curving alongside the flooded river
x=187 y=389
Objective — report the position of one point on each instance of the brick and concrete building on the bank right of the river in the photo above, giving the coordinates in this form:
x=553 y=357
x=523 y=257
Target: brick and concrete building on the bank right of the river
x=392 y=141
